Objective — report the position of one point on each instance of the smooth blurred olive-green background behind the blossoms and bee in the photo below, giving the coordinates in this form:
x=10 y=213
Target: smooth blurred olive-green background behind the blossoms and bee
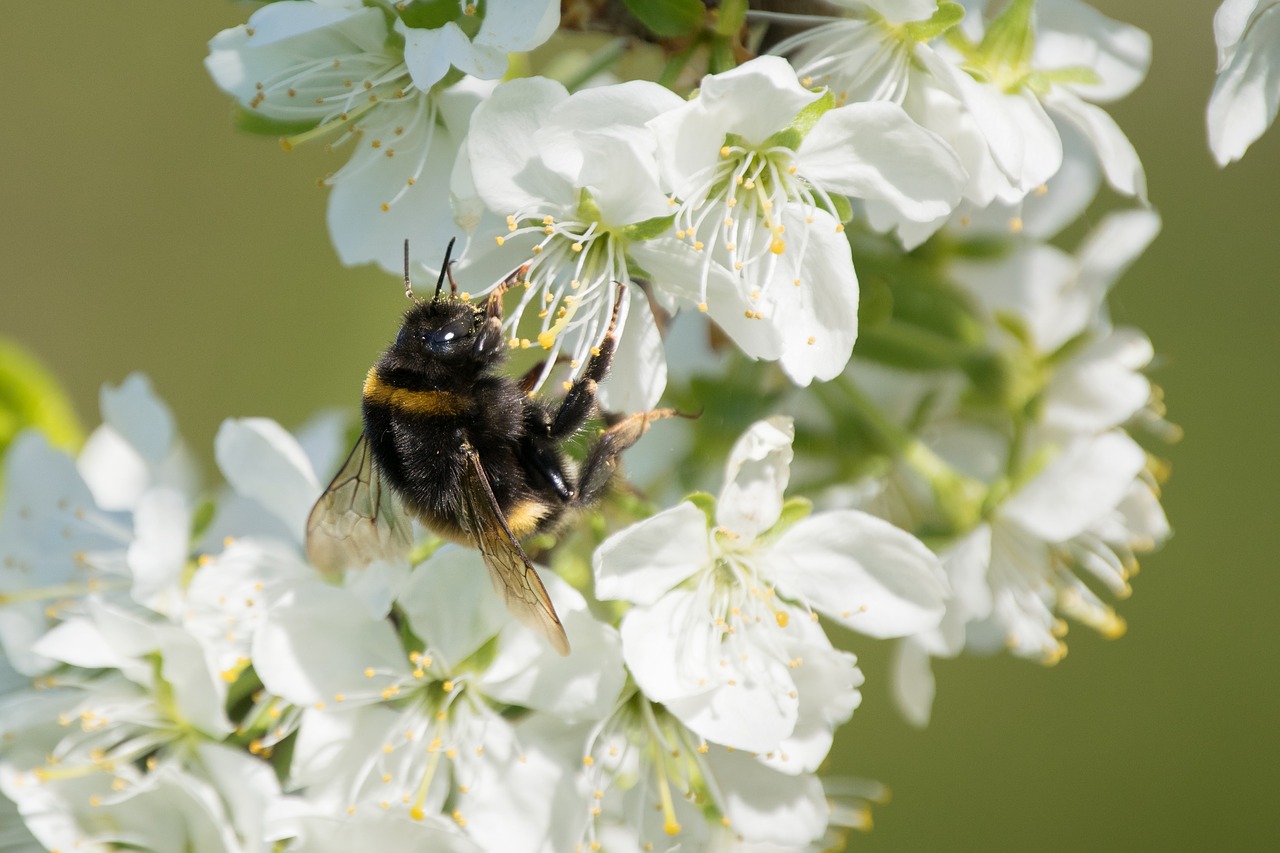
x=141 y=232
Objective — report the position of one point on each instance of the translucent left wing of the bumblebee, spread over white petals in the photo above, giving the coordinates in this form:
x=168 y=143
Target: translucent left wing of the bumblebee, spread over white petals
x=358 y=521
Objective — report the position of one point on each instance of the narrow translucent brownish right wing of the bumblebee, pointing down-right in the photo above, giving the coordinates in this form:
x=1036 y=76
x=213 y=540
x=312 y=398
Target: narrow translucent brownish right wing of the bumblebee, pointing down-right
x=513 y=574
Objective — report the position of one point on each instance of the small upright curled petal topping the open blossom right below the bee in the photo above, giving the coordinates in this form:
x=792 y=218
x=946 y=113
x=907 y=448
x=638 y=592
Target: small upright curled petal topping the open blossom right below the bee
x=756 y=478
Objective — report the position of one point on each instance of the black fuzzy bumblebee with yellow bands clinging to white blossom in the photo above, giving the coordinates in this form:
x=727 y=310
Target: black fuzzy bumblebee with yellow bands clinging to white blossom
x=468 y=451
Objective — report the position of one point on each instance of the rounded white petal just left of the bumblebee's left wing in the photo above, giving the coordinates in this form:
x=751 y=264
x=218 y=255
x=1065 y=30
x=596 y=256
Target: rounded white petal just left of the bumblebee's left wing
x=262 y=460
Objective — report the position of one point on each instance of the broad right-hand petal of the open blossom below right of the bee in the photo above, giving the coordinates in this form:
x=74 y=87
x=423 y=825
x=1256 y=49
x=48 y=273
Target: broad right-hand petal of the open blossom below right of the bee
x=862 y=572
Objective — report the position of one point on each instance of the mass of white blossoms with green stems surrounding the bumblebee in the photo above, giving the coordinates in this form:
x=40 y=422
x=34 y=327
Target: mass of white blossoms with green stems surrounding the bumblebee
x=840 y=239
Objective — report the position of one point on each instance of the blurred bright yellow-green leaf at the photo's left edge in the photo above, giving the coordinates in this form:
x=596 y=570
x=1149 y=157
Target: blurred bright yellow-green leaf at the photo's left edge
x=30 y=396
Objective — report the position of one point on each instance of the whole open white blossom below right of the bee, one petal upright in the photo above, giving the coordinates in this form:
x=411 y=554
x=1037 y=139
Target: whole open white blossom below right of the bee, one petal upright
x=720 y=632
